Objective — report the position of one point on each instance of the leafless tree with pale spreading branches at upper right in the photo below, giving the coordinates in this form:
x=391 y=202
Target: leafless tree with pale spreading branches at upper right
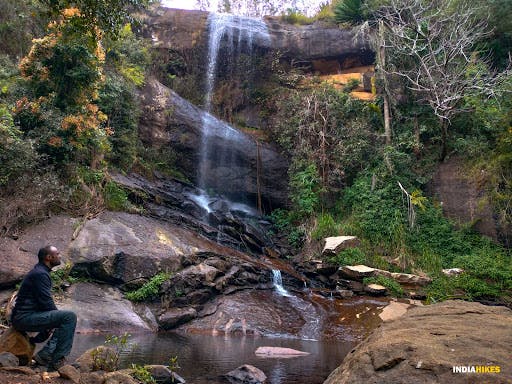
x=433 y=44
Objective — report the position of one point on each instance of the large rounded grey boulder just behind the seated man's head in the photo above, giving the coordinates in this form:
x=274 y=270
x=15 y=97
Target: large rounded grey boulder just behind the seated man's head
x=119 y=247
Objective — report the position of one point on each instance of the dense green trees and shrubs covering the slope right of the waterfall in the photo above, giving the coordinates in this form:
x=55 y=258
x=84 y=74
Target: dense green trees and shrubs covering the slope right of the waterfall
x=352 y=176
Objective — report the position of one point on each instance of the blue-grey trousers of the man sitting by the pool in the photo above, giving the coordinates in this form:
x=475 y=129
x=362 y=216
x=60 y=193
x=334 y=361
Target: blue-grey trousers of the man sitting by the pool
x=64 y=323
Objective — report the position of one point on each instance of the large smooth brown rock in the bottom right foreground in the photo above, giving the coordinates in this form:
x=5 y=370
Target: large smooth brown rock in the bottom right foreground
x=426 y=343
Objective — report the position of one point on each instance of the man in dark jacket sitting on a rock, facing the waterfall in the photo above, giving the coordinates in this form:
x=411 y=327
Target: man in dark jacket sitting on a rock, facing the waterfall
x=35 y=311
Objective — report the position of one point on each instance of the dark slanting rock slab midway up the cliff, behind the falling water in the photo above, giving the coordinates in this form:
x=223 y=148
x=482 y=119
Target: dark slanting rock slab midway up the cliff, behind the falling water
x=169 y=120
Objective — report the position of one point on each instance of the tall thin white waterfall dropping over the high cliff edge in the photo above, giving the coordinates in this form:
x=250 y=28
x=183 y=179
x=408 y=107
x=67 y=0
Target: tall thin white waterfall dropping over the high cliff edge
x=234 y=34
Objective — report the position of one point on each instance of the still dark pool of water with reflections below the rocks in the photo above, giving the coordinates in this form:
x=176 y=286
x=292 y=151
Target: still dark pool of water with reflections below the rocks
x=203 y=358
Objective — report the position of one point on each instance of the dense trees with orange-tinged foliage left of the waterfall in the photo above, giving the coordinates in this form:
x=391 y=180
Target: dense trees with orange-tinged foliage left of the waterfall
x=68 y=107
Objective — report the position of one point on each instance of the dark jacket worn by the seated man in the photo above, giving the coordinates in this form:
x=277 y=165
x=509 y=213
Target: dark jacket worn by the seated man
x=35 y=294
